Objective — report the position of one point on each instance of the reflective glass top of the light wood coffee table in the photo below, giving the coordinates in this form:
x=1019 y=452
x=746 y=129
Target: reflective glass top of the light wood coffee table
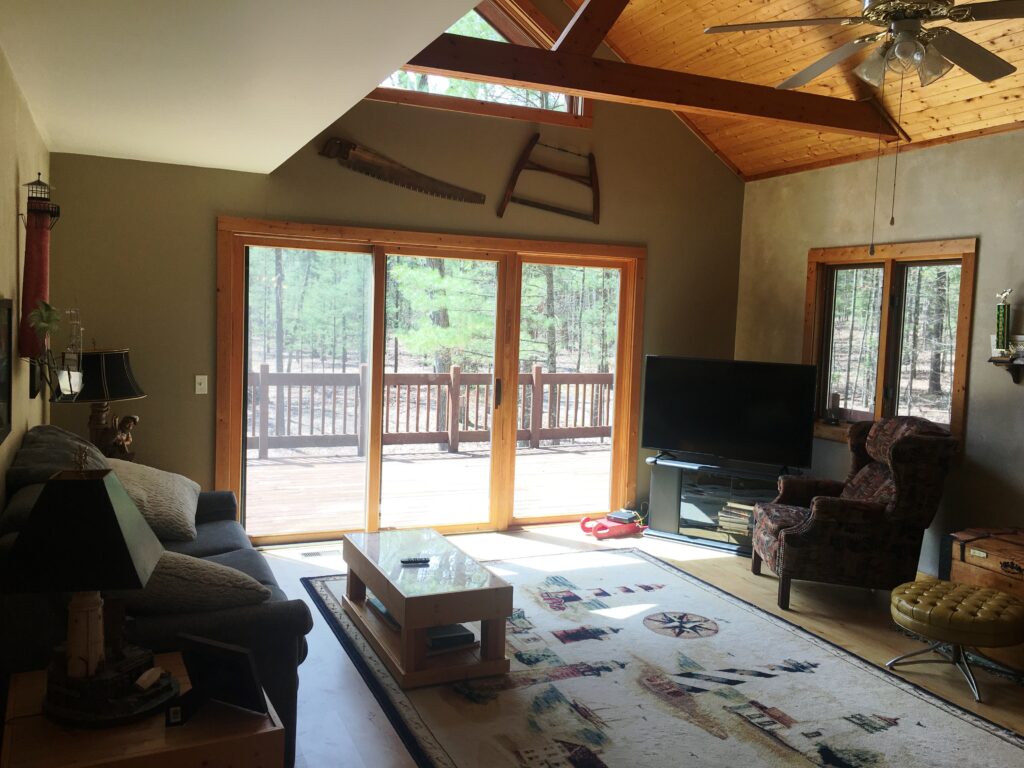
x=450 y=569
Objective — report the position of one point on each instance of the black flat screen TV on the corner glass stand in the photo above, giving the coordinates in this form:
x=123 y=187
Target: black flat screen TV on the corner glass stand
x=729 y=410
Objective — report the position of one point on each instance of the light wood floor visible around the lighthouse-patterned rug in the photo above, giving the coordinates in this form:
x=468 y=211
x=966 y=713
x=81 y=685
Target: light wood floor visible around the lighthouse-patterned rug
x=340 y=723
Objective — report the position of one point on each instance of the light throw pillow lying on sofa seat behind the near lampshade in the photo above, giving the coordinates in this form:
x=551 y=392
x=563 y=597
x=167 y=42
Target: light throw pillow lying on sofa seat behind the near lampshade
x=182 y=584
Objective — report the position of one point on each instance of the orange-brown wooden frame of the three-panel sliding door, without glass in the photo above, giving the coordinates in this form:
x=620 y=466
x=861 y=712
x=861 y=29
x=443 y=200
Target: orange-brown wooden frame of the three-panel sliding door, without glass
x=235 y=235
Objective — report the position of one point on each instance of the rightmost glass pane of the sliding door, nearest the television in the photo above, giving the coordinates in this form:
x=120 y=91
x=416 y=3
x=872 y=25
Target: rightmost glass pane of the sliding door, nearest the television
x=569 y=347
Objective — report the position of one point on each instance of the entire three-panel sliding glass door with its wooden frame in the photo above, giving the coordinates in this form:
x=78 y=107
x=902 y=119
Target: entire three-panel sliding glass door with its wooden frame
x=371 y=379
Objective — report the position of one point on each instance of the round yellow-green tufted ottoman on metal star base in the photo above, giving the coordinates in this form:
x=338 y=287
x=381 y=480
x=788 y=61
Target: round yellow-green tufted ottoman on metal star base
x=961 y=615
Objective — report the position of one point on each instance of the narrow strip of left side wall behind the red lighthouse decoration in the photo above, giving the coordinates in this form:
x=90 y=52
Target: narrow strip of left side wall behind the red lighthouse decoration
x=23 y=154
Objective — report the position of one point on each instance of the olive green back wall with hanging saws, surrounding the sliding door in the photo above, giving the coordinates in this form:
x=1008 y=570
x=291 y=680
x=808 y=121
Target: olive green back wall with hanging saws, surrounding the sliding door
x=137 y=249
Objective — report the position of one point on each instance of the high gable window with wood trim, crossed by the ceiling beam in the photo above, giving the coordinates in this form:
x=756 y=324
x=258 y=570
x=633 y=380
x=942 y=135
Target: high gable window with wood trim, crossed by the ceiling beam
x=490 y=21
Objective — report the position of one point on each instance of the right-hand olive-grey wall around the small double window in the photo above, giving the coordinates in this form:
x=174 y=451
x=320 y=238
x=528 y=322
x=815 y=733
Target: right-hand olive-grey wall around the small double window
x=971 y=189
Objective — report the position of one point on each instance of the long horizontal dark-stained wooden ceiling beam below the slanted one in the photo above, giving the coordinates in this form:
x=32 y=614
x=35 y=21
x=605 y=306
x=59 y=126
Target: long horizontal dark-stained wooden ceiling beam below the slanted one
x=454 y=56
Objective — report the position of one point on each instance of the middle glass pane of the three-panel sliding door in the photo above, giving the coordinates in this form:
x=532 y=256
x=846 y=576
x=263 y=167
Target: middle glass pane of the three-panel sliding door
x=439 y=392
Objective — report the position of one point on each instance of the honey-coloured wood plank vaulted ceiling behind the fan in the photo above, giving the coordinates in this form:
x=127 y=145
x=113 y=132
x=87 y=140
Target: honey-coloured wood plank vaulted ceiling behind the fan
x=669 y=34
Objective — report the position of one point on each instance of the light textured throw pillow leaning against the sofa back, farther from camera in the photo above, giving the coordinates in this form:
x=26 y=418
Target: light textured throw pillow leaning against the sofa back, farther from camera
x=167 y=501
